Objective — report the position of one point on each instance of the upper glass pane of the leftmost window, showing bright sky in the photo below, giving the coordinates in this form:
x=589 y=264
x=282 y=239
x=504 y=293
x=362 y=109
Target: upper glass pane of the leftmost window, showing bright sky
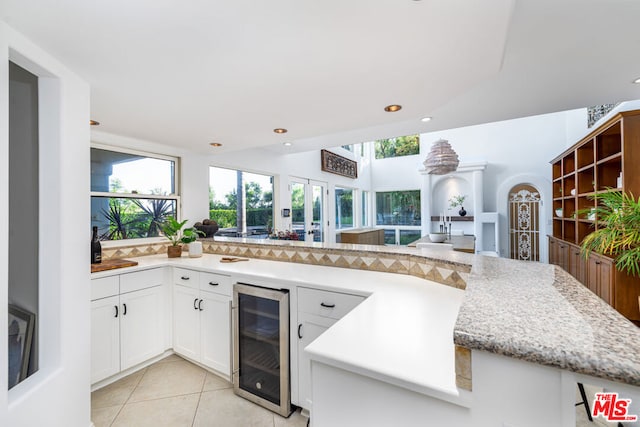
x=116 y=172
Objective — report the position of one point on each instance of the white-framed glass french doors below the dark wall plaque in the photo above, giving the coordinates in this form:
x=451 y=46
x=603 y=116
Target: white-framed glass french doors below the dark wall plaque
x=308 y=209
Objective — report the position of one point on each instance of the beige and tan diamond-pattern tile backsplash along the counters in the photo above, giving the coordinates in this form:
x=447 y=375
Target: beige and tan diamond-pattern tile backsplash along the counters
x=450 y=274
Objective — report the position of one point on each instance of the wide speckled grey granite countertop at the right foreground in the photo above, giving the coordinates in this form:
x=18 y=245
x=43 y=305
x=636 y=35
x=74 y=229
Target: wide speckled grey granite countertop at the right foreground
x=539 y=313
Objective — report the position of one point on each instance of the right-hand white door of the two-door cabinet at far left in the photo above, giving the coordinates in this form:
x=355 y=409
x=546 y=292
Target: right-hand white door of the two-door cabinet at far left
x=141 y=326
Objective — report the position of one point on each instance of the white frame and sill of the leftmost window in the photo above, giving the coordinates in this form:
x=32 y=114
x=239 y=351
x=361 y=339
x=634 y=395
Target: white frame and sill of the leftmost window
x=175 y=196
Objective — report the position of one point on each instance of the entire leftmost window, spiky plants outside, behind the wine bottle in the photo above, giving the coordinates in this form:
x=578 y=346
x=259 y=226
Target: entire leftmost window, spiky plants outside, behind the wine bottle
x=131 y=193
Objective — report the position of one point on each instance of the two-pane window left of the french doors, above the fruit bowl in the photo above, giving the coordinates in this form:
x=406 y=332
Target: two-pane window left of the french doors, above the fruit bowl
x=241 y=202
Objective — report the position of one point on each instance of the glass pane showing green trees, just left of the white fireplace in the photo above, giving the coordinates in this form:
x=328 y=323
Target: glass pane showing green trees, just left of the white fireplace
x=398 y=207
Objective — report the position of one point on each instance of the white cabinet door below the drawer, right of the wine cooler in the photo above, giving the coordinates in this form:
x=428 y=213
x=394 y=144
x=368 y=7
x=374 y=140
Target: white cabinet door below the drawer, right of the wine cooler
x=309 y=328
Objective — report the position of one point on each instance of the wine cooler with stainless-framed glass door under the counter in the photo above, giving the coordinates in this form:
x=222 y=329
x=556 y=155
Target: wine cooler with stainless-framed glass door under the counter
x=261 y=346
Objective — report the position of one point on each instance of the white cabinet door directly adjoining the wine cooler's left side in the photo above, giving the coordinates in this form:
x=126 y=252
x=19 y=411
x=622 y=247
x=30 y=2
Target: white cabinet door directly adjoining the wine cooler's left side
x=215 y=331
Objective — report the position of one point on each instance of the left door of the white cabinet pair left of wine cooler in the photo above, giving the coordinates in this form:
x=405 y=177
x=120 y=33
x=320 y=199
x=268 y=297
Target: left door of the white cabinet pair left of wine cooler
x=186 y=321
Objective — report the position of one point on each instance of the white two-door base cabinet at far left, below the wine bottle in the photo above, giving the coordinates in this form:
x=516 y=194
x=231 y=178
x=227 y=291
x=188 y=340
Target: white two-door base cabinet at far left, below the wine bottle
x=127 y=328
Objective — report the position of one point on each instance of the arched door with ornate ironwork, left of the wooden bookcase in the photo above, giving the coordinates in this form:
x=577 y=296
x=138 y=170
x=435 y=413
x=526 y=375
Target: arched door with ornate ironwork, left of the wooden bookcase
x=524 y=234
